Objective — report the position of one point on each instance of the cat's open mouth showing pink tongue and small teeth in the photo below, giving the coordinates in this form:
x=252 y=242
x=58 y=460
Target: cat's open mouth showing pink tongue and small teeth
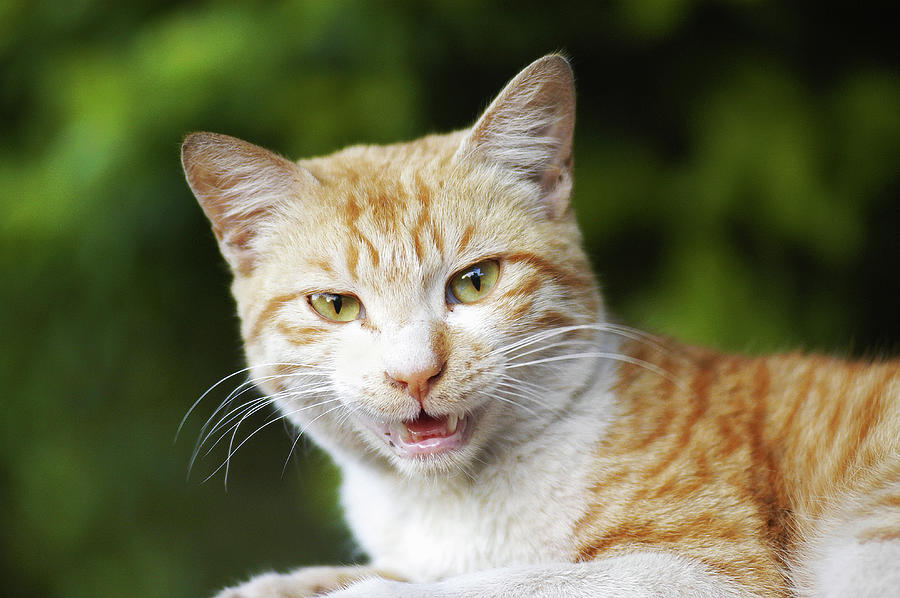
x=426 y=434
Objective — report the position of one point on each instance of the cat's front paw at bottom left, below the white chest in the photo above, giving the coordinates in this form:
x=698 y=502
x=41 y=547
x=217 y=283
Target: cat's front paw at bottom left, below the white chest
x=309 y=581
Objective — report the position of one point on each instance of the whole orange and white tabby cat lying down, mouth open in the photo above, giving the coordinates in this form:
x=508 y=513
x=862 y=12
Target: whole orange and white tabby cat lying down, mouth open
x=426 y=313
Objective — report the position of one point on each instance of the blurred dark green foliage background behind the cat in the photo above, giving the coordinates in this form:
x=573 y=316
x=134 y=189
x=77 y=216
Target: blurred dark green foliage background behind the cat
x=736 y=174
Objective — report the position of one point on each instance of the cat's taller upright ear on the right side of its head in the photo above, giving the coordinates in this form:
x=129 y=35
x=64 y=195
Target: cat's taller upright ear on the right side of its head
x=528 y=129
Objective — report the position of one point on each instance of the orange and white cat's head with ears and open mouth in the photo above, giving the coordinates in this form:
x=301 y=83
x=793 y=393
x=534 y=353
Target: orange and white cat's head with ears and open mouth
x=405 y=303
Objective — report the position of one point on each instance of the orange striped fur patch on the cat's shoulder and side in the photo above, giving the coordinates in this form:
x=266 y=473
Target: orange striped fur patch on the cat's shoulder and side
x=740 y=461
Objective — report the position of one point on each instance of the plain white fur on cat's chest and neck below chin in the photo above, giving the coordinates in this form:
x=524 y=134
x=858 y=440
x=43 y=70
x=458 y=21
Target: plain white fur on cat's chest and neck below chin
x=520 y=510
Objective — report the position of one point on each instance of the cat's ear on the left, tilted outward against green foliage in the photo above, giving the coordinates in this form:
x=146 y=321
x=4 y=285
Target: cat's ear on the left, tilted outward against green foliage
x=238 y=185
